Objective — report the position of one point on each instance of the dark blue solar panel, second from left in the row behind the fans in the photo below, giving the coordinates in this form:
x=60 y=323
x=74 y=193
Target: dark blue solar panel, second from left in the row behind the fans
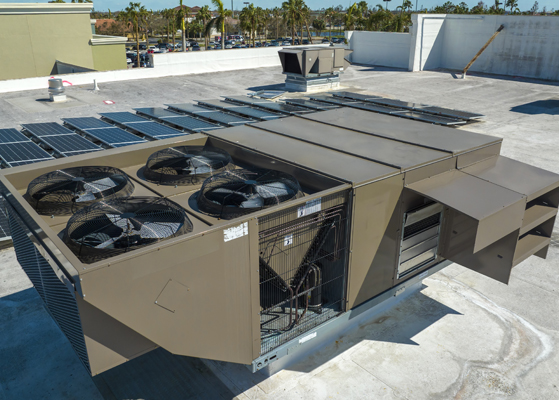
x=61 y=140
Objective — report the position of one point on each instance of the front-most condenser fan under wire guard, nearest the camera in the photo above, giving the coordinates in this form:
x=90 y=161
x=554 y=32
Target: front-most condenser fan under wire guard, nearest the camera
x=117 y=226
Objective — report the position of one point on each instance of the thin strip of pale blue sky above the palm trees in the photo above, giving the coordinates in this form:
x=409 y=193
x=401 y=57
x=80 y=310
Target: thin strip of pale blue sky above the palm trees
x=114 y=5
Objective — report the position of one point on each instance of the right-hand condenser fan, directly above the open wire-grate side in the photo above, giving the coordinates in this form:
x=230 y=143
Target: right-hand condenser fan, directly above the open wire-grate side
x=239 y=192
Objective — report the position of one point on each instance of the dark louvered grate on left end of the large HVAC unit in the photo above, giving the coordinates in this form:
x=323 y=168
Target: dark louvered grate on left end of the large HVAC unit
x=58 y=300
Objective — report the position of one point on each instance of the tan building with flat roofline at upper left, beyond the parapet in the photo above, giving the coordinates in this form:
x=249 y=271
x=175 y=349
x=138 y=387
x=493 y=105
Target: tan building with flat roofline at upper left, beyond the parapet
x=35 y=36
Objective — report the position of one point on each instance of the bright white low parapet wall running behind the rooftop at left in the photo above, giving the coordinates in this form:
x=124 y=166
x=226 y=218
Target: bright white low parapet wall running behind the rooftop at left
x=167 y=64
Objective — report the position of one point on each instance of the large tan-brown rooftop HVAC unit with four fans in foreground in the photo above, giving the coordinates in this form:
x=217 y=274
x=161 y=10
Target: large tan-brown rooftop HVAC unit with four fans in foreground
x=244 y=243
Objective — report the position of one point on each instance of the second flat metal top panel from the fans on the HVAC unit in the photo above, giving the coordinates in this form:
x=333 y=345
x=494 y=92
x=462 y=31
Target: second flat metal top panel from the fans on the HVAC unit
x=385 y=151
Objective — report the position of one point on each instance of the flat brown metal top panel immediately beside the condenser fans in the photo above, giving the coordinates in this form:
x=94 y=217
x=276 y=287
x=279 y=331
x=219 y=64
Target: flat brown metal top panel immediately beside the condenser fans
x=320 y=159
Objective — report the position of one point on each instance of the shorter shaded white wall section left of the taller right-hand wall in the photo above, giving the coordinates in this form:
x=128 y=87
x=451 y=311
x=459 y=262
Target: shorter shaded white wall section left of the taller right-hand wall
x=379 y=48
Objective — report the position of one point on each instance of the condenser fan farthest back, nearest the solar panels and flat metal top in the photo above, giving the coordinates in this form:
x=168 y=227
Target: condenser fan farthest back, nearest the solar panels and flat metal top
x=186 y=165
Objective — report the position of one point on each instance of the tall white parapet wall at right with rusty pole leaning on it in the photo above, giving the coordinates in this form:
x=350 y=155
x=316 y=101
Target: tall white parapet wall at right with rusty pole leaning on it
x=528 y=46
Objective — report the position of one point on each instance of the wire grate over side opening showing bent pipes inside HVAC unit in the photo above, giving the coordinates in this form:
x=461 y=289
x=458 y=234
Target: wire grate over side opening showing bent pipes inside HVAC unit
x=303 y=268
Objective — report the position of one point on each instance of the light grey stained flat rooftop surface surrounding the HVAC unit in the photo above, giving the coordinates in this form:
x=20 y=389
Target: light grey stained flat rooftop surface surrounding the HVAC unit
x=460 y=334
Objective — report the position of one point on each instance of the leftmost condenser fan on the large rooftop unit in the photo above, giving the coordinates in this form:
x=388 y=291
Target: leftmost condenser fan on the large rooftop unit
x=65 y=191
